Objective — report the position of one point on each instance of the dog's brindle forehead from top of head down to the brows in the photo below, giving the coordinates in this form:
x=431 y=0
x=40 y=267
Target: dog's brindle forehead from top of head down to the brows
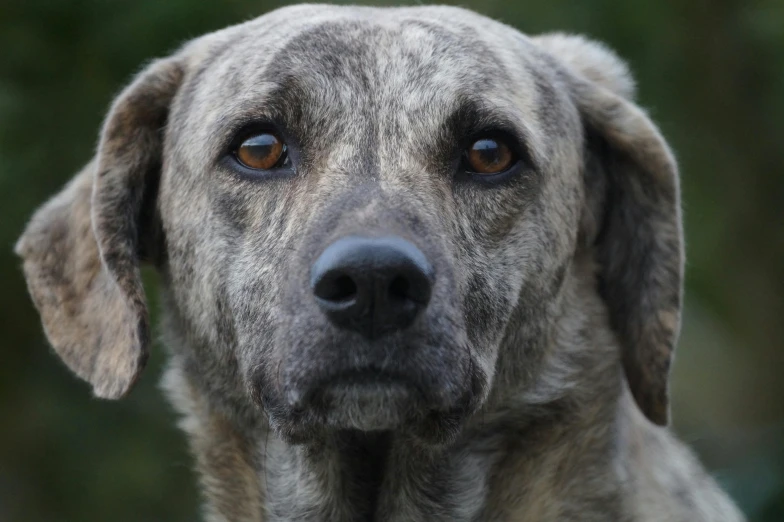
x=416 y=56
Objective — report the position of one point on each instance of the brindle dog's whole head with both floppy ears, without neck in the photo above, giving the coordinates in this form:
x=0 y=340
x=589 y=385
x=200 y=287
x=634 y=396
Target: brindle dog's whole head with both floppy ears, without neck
x=349 y=207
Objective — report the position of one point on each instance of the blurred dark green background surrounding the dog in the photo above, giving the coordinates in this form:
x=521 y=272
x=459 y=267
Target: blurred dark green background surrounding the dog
x=710 y=72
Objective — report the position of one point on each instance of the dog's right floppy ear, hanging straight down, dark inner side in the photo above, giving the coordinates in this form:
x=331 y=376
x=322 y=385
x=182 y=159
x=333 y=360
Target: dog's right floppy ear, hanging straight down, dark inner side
x=631 y=218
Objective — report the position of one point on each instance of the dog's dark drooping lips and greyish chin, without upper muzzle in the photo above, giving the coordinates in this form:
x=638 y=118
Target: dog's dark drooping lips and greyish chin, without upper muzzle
x=408 y=397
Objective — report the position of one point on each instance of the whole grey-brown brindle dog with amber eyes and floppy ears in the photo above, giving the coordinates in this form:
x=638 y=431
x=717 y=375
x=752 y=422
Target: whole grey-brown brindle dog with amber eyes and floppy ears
x=415 y=265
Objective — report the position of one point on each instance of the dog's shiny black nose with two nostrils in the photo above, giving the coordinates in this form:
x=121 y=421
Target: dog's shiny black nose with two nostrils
x=374 y=286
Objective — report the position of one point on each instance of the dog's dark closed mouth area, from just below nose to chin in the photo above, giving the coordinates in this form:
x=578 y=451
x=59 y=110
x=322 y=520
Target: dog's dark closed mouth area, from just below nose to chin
x=422 y=382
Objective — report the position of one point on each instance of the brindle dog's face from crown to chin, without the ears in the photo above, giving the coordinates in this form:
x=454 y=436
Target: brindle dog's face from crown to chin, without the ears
x=366 y=277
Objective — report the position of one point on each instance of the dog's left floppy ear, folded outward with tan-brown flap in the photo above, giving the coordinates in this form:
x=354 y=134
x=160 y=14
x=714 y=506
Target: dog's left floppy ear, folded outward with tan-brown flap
x=81 y=250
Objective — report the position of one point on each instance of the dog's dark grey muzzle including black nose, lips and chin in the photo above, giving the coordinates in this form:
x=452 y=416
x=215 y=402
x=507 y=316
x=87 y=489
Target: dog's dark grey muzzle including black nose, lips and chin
x=371 y=338
